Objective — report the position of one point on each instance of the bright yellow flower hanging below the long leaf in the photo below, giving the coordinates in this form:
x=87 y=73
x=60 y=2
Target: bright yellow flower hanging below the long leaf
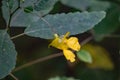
x=64 y=43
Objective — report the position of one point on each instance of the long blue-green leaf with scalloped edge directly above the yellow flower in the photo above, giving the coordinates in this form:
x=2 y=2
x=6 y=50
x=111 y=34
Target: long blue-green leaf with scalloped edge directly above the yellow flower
x=74 y=23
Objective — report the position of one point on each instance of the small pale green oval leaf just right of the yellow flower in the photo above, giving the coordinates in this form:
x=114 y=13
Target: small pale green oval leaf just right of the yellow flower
x=84 y=56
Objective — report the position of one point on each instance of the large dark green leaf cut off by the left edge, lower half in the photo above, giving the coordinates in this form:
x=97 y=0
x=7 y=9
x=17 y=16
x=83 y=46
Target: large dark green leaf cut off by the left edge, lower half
x=7 y=54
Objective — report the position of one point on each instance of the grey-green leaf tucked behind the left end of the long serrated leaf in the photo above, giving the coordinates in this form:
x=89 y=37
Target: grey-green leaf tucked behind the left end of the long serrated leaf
x=23 y=19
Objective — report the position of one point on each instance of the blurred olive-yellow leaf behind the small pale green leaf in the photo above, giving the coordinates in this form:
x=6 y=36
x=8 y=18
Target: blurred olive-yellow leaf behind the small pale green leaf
x=100 y=56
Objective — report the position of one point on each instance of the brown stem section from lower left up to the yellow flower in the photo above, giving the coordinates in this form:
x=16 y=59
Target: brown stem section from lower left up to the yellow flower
x=37 y=61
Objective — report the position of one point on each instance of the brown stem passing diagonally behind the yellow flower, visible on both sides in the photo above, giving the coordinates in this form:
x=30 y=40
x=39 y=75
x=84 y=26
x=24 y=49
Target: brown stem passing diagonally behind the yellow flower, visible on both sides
x=47 y=57
